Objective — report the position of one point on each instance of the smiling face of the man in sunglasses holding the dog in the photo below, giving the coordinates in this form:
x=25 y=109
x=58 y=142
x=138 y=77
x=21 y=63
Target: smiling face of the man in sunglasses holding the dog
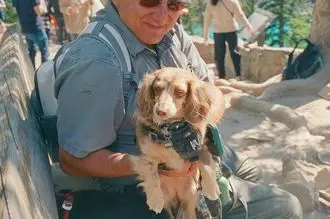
x=149 y=24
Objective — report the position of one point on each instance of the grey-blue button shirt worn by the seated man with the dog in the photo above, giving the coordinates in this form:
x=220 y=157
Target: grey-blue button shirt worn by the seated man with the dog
x=91 y=109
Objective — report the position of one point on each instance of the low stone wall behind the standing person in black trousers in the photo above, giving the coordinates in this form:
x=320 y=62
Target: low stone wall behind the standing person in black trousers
x=257 y=63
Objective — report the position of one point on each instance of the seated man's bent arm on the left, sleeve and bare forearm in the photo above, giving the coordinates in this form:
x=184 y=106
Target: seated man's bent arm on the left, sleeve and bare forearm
x=90 y=111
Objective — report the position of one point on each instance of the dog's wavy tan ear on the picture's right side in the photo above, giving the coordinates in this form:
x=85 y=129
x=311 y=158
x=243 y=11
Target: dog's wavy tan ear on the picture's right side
x=198 y=102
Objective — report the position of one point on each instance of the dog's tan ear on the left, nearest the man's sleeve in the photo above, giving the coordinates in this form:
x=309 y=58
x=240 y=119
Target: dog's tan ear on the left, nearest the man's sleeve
x=146 y=96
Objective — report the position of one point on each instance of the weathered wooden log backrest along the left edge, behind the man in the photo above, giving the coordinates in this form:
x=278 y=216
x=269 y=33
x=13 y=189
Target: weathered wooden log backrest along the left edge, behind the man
x=27 y=189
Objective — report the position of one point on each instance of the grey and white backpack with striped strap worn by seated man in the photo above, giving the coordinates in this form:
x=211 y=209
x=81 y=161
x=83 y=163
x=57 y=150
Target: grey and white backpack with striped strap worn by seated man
x=43 y=97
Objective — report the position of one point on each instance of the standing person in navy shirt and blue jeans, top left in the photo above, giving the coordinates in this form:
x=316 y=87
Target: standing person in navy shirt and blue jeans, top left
x=29 y=14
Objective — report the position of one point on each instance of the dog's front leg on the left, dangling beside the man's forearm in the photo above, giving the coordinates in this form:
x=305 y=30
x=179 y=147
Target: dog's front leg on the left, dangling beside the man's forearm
x=147 y=171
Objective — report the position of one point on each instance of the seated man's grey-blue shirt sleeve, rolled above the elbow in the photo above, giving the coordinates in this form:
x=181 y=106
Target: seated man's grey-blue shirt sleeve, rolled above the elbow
x=90 y=106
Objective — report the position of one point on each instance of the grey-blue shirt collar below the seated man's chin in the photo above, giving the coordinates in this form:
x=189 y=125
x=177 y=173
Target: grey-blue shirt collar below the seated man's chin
x=133 y=44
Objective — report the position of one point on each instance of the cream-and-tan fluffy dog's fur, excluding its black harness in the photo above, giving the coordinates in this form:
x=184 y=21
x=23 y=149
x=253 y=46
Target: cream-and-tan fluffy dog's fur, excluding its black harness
x=165 y=96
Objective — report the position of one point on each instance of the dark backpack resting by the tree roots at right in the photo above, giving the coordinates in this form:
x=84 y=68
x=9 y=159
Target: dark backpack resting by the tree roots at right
x=306 y=64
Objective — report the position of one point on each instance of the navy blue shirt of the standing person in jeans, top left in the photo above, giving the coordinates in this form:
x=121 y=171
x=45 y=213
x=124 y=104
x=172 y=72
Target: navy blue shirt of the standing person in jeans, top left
x=29 y=20
